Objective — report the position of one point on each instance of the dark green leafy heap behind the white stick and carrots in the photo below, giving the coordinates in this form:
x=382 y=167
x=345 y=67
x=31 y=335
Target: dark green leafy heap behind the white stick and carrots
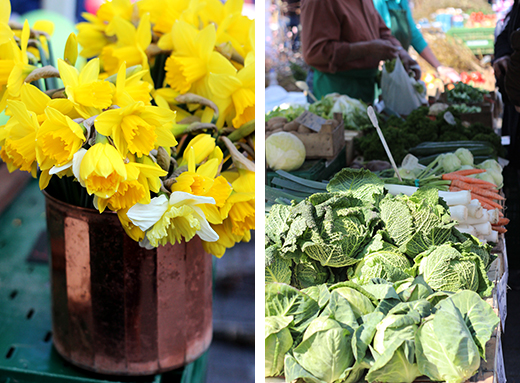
x=401 y=135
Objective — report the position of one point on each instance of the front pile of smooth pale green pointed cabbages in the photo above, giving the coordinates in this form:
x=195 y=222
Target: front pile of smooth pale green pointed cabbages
x=378 y=332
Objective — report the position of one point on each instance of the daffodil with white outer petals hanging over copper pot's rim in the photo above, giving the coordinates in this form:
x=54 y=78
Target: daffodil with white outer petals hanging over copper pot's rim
x=171 y=220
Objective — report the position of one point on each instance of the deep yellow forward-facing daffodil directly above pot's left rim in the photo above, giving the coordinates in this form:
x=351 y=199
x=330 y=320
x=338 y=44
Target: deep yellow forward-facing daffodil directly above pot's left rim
x=57 y=140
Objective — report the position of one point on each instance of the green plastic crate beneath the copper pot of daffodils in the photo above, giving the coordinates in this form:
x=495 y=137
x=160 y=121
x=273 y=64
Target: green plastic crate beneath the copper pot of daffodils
x=26 y=351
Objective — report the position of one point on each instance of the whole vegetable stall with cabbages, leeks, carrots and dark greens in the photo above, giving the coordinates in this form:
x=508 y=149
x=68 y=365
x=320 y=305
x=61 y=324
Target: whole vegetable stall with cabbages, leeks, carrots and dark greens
x=362 y=265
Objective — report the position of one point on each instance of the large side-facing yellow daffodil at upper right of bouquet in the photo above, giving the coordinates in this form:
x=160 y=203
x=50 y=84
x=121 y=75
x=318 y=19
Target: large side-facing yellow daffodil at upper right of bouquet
x=193 y=59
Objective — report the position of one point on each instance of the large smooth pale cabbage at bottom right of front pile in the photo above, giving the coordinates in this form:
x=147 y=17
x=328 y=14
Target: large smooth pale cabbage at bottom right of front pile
x=445 y=348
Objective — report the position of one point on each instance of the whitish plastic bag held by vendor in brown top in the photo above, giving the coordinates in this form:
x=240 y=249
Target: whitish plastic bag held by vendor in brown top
x=398 y=90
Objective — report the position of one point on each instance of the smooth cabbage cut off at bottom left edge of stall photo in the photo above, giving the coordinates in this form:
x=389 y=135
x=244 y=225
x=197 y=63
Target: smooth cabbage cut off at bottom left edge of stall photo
x=278 y=341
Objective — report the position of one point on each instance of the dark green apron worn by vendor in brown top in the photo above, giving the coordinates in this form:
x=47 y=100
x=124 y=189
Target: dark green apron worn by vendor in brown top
x=355 y=83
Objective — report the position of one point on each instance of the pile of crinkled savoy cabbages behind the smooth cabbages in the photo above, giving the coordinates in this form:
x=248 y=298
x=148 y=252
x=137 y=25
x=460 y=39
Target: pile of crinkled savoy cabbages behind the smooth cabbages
x=357 y=232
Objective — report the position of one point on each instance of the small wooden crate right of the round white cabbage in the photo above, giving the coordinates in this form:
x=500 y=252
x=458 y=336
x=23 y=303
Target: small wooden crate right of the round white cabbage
x=327 y=143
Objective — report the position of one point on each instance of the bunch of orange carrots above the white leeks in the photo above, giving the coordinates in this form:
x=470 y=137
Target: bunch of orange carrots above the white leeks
x=485 y=192
